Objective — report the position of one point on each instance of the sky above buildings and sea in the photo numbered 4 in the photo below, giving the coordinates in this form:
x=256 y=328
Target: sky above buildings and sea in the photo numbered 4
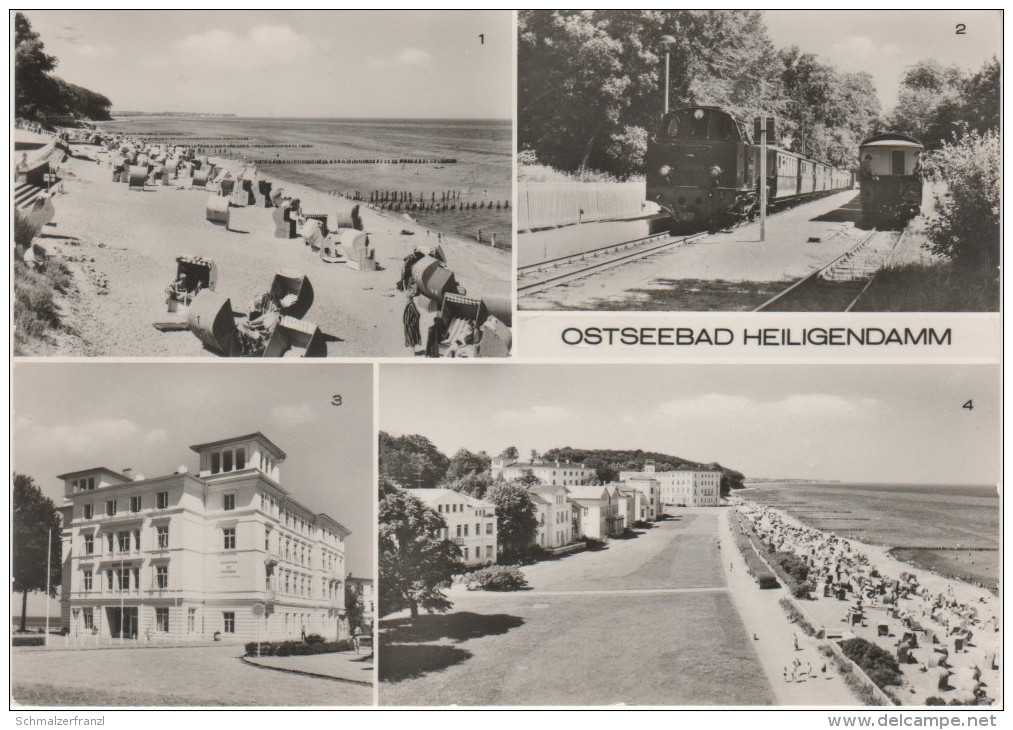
x=852 y=424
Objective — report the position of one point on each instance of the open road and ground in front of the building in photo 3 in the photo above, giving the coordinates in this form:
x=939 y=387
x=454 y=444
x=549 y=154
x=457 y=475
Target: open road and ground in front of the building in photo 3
x=171 y=678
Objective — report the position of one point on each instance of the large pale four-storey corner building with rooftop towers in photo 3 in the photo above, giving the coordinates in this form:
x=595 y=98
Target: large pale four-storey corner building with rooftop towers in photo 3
x=227 y=552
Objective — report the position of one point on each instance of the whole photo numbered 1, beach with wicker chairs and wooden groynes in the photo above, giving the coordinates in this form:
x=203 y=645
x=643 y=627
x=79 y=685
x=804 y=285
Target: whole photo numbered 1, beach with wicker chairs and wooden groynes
x=263 y=184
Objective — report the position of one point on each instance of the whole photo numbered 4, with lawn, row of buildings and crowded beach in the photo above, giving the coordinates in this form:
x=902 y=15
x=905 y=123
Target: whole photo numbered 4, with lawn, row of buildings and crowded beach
x=722 y=536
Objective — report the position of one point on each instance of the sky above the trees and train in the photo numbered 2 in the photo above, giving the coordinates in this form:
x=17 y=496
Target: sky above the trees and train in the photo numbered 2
x=885 y=43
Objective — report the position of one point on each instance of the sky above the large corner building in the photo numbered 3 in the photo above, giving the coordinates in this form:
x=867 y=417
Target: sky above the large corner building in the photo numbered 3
x=68 y=418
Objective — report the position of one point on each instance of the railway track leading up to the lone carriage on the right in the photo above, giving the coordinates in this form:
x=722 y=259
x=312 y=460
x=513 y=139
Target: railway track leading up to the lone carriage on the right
x=845 y=280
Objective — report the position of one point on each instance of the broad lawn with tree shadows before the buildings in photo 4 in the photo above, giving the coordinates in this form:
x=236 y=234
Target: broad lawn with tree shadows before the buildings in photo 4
x=649 y=621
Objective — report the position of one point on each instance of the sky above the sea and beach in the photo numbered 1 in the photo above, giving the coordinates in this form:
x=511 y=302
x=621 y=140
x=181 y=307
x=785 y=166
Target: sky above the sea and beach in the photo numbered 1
x=338 y=64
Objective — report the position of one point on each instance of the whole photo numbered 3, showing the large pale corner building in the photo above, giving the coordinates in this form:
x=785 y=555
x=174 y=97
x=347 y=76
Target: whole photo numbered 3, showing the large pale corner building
x=192 y=536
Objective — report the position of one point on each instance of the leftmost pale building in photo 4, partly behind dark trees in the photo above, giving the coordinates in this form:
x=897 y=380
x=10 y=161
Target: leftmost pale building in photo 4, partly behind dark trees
x=471 y=523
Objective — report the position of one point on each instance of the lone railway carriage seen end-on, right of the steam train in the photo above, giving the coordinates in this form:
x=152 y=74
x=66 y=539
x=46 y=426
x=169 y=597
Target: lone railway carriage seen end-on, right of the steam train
x=891 y=180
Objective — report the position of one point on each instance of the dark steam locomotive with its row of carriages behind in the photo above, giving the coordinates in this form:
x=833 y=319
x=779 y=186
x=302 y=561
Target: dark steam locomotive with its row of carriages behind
x=703 y=170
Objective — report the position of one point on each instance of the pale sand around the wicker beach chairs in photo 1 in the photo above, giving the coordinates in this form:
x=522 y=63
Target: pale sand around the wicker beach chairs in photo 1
x=121 y=246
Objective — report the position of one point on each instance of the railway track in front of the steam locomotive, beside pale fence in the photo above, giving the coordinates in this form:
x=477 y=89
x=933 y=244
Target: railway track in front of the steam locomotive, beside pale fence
x=553 y=273
